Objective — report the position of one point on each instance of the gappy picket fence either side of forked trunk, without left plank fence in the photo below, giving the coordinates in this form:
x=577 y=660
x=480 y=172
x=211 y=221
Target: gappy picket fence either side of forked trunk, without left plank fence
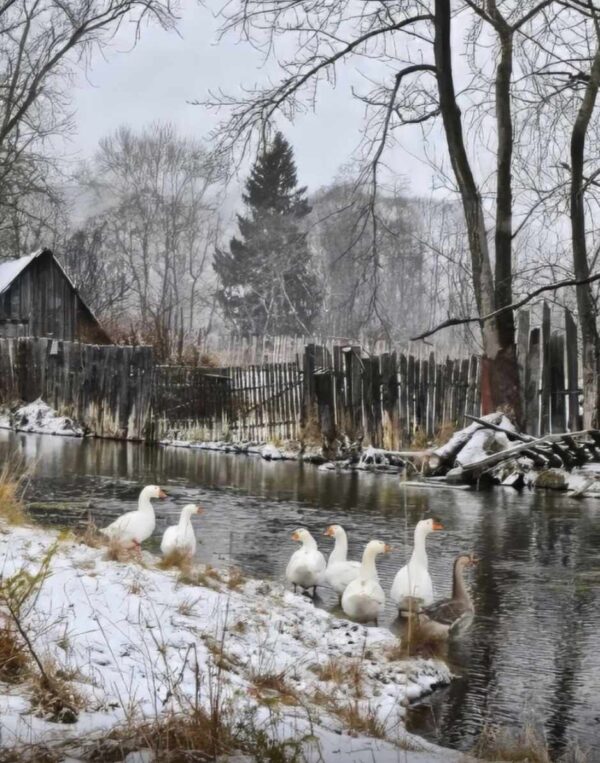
x=389 y=399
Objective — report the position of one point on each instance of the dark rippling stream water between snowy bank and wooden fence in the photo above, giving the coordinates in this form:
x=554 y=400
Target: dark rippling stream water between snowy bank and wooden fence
x=533 y=653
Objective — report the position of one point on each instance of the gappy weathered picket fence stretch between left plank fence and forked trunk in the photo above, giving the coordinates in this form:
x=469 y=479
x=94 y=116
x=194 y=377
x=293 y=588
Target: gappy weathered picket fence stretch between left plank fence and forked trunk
x=383 y=400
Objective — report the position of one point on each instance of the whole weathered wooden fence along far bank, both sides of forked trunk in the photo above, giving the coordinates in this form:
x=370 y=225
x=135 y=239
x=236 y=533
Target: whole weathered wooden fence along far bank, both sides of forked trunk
x=389 y=399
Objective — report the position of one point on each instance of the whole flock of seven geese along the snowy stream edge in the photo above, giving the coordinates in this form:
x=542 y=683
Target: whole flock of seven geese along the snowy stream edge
x=356 y=583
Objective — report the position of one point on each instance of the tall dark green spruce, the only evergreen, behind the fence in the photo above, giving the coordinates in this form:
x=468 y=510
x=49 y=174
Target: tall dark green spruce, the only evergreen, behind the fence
x=267 y=284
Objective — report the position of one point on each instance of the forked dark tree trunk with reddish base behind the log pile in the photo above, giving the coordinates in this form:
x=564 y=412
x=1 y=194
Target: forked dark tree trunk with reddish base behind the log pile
x=498 y=335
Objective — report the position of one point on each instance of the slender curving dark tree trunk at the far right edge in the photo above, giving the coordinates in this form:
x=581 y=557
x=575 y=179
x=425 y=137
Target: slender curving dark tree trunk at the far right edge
x=585 y=301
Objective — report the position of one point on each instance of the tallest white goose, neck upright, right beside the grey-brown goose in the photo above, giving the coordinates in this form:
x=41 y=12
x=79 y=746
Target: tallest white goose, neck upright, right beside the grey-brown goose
x=412 y=587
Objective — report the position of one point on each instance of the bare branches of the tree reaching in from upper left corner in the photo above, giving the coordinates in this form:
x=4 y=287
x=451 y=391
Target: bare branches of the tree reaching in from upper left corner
x=41 y=44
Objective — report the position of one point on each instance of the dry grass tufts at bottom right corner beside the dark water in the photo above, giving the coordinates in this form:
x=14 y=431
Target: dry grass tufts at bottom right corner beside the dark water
x=525 y=746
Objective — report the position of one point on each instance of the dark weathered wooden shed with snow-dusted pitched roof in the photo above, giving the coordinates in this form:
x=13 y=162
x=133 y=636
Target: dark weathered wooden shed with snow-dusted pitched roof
x=37 y=298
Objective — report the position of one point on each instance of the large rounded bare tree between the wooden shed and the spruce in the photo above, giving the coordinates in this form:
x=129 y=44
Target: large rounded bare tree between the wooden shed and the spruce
x=160 y=194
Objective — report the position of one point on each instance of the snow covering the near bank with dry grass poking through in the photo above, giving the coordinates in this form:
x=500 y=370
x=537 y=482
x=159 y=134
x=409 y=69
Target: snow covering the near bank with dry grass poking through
x=132 y=635
